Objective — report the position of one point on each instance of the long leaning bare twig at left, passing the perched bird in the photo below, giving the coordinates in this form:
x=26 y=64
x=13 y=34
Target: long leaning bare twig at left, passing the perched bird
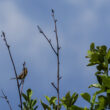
x=18 y=86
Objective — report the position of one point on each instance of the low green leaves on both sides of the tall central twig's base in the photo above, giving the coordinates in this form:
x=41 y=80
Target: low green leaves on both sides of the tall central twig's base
x=68 y=102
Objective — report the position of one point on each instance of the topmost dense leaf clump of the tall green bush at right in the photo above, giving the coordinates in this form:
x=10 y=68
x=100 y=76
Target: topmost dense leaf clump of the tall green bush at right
x=99 y=56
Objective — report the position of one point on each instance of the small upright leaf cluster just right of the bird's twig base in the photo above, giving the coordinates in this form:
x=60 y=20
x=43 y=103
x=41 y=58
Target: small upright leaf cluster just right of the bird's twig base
x=29 y=104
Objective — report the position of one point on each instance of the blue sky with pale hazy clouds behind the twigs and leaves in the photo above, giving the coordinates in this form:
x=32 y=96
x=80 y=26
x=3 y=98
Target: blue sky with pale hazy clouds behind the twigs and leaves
x=79 y=24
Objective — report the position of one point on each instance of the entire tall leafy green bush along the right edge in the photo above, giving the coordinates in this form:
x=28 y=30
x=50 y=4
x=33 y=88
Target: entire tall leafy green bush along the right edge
x=100 y=57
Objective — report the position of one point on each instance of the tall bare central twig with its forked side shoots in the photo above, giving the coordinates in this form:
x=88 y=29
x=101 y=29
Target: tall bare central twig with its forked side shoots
x=56 y=53
